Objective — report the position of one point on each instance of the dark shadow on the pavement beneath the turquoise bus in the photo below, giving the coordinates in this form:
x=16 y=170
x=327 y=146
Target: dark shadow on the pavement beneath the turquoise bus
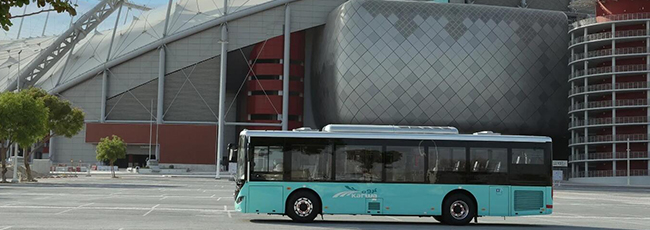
x=412 y=225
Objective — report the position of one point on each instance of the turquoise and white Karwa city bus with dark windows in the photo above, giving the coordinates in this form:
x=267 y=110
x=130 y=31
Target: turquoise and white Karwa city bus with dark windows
x=392 y=171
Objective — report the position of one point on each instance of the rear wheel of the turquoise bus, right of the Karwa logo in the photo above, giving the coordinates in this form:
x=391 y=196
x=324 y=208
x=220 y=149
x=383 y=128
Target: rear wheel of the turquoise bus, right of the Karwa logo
x=458 y=209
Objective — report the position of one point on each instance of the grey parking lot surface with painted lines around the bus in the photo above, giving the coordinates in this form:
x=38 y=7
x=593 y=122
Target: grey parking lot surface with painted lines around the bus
x=156 y=202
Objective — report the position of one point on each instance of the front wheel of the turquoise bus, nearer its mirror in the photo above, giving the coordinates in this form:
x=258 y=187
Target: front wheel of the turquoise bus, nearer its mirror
x=303 y=206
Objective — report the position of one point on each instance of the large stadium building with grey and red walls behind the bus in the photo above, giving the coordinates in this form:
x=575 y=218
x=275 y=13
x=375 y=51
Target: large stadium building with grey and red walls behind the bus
x=156 y=79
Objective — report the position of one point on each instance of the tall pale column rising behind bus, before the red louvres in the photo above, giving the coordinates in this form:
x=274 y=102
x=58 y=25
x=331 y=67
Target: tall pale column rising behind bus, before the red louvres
x=286 y=62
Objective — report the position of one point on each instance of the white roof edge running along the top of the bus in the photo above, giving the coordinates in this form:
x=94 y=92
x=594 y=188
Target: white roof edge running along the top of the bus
x=396 y=136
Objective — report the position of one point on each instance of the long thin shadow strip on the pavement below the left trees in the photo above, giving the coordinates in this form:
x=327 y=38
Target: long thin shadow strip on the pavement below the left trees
x=83 y=185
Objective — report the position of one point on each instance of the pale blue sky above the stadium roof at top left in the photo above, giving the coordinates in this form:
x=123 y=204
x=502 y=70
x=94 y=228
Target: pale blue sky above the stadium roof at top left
x=57 y=23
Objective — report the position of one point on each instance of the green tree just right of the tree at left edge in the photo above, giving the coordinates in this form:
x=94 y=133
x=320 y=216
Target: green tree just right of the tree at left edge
x=63 y=120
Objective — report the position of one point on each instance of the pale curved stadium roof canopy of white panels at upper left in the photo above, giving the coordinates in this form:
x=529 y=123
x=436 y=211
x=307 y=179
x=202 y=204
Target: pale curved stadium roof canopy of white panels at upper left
x=93 y=50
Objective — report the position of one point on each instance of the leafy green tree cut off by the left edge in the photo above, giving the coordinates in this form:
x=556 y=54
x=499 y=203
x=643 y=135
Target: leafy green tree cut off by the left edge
x=23 y=120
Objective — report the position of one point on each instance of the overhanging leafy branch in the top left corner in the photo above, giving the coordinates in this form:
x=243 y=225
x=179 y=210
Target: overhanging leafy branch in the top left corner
x=59 y=6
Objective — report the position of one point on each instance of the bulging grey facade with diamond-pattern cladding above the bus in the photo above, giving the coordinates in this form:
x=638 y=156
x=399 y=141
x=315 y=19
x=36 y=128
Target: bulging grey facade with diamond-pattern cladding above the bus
x=470 y=66
